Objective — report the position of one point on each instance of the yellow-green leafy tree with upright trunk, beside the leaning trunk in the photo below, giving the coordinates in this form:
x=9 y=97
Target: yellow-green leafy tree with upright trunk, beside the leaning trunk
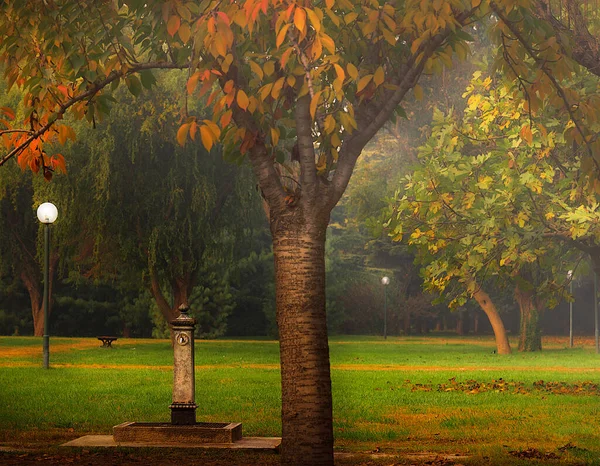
x=486 y=200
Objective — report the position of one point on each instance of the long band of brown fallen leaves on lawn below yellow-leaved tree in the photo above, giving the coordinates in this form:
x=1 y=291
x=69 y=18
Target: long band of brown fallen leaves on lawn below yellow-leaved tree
x=474 y=387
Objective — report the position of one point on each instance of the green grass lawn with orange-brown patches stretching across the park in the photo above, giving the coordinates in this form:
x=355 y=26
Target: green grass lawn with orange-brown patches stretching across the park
x=386 y=393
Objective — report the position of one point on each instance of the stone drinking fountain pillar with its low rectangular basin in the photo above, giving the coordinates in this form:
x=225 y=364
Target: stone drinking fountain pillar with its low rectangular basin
x=183 y=427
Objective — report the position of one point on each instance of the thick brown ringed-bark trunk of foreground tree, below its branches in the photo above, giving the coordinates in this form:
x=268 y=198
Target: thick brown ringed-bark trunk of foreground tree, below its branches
x=299 y=253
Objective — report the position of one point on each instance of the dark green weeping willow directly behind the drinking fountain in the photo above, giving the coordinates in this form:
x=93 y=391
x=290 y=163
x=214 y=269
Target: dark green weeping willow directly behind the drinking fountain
x=153 y=211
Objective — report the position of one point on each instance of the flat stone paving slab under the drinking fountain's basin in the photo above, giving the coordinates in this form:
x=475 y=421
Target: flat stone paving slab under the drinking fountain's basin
x=246 y=443
